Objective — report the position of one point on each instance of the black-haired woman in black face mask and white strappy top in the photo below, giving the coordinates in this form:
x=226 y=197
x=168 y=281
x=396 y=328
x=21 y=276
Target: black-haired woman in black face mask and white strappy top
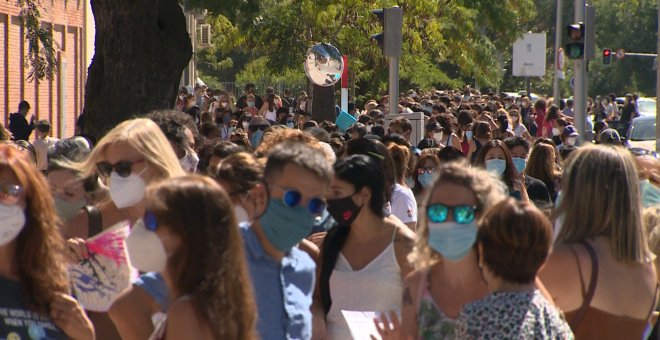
x=364 y=257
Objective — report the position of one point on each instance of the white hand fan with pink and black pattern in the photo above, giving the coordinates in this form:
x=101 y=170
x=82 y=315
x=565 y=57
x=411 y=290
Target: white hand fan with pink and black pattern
x=98 y=280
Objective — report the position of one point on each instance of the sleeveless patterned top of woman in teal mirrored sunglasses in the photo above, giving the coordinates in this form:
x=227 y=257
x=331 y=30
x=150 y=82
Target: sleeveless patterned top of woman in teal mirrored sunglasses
x=432 y=323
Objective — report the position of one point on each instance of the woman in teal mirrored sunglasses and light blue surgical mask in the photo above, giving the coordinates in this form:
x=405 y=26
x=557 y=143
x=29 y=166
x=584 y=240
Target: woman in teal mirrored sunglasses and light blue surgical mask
x=447 y=276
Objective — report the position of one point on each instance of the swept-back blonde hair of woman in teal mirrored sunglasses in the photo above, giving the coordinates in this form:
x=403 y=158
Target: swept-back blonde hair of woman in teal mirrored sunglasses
x=488 y=190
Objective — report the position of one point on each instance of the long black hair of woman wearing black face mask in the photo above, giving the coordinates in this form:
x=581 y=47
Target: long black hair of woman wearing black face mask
x=361 y=171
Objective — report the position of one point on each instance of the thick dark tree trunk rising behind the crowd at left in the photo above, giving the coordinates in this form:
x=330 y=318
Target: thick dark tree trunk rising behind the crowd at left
x=141 y=49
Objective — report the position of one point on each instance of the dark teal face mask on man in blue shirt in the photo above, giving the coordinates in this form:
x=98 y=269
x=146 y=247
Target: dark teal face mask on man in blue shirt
x=285 y=226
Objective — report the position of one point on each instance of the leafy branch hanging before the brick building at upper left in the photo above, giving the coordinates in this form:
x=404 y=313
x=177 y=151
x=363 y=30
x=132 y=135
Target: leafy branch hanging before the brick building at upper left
x=41 y=54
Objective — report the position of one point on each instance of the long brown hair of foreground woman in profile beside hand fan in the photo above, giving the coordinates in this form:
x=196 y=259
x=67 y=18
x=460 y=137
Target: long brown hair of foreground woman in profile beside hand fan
x=208 y=266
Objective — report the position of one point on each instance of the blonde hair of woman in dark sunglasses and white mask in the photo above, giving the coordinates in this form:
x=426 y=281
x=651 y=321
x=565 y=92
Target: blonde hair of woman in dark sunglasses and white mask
x=146 y=138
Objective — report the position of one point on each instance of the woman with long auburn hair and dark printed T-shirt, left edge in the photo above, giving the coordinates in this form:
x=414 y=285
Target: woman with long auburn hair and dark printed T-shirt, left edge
x=33 y=279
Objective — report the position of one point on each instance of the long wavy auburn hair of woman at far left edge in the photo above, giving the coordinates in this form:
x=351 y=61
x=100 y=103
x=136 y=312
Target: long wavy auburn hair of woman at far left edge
x=39 y=251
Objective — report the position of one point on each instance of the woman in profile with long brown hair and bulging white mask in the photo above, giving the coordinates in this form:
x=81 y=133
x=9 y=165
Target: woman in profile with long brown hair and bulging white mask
x=189 y=234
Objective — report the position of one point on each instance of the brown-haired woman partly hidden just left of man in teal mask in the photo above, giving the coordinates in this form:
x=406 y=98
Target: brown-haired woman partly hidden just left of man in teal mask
x=239 y=174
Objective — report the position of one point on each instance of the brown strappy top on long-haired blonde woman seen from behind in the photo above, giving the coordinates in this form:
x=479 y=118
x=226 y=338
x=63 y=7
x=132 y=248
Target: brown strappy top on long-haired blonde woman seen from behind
x=591 y=323
